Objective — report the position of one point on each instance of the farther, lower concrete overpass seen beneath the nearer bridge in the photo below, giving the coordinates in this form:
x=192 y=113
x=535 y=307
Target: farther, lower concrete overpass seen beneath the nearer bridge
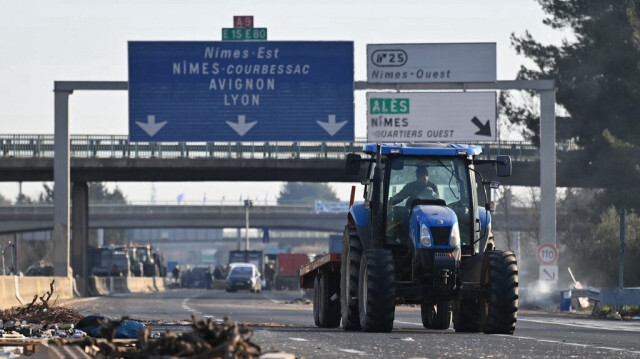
x=23 y=218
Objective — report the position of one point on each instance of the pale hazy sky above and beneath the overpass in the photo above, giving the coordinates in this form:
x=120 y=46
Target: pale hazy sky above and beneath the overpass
x=75 y=40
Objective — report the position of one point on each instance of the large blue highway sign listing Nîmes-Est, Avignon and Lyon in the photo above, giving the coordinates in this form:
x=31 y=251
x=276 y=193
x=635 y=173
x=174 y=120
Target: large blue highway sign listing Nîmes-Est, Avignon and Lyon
x=241 y=91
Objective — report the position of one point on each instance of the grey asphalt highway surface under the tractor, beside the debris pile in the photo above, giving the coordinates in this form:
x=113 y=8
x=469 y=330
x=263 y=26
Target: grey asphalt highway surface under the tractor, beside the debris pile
x=282 y=321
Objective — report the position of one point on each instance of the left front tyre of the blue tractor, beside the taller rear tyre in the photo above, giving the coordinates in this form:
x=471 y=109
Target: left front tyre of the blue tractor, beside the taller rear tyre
x=377 y=291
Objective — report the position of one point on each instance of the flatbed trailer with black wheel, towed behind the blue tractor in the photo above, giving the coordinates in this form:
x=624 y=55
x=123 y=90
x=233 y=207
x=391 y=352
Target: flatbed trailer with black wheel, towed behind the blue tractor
x=323 y=275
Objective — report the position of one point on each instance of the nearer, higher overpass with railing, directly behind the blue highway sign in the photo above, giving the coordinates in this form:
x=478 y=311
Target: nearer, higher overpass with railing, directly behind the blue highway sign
x=113 y=158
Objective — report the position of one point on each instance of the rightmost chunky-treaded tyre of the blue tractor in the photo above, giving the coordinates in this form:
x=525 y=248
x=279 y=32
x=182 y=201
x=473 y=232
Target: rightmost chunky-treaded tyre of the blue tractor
x=500 y=279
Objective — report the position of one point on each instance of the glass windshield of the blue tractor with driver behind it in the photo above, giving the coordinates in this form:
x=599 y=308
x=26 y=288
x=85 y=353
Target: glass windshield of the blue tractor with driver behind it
x=426 y=178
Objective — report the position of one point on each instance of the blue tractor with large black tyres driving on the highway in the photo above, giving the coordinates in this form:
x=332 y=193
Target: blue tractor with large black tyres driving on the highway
x=426 y=241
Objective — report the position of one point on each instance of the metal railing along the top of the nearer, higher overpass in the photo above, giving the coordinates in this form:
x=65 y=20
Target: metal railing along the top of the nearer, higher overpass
x=119 y=146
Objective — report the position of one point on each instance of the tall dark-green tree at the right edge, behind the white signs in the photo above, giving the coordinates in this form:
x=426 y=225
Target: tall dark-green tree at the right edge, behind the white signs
x=598 y=85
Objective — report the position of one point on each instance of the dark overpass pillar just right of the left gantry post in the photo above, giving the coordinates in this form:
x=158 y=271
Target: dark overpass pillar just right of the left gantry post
x=80 y=234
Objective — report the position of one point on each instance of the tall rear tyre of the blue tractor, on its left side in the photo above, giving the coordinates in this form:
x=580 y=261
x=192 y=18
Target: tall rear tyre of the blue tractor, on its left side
x=349 y=271
